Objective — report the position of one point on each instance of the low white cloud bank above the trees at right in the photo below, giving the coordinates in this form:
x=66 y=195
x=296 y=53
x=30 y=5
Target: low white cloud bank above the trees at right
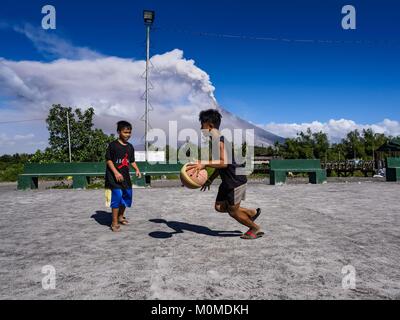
x=335 y=129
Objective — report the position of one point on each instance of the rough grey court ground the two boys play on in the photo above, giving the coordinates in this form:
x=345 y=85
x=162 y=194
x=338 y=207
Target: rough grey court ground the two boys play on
x=177 y=247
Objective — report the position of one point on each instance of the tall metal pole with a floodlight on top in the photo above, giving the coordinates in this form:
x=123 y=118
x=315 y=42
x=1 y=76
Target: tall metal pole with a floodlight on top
x=148 y=17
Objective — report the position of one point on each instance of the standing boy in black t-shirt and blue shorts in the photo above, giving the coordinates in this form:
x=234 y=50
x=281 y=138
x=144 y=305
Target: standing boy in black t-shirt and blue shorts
x=120 y=156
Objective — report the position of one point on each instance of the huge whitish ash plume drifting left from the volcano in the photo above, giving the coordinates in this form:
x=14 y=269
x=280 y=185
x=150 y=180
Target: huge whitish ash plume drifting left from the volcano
x=113 y=86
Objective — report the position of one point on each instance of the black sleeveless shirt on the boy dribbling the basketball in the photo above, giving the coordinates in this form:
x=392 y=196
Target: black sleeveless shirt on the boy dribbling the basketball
x=230 y=179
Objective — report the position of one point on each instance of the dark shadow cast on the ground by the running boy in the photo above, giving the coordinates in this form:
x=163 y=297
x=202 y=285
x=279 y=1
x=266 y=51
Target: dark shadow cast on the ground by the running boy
x=181 y=227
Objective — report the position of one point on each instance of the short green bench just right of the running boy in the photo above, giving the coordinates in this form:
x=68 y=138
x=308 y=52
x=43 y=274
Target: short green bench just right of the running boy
x=280 y=168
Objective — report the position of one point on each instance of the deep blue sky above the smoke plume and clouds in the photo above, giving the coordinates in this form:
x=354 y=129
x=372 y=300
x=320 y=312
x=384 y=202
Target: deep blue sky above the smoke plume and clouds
x=261 y=81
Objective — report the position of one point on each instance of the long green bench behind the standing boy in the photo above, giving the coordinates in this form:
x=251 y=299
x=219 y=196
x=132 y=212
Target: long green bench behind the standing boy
x=81 y=173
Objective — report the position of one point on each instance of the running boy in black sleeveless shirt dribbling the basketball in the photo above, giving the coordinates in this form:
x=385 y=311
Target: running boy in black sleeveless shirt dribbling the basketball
x=233 y=187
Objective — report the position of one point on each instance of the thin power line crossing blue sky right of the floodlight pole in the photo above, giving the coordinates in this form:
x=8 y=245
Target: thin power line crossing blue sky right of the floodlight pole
x=276 y=39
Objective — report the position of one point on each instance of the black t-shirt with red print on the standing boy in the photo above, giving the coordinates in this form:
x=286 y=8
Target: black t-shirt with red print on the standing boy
x=122 y=156
